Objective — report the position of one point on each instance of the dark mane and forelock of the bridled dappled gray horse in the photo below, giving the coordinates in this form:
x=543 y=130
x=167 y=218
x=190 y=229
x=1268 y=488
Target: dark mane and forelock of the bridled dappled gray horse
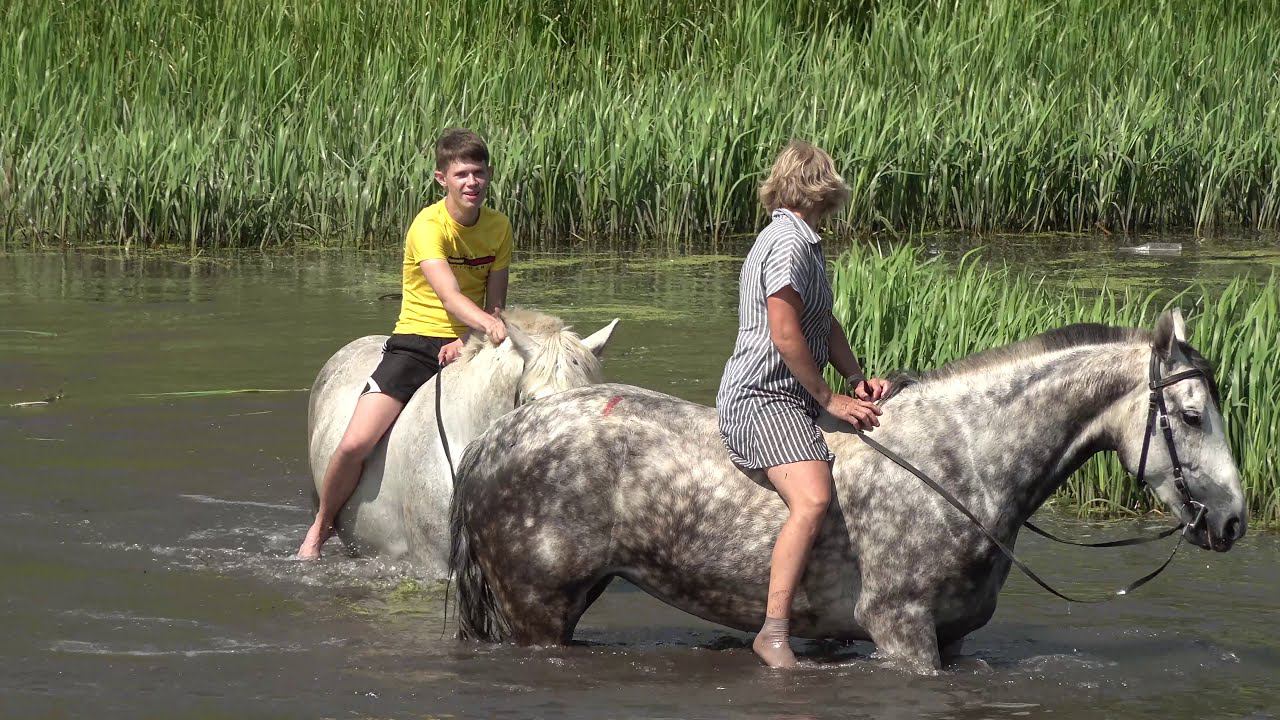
x=1080 y=335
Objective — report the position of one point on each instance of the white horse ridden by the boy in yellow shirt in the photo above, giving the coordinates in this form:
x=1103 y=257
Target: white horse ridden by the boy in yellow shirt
x=401 y=507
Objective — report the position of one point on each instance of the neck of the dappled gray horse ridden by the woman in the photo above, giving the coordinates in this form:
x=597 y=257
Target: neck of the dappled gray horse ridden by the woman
x=1036 y=421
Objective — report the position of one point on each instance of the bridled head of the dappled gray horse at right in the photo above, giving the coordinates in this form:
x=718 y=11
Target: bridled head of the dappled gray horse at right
x=1200 y=443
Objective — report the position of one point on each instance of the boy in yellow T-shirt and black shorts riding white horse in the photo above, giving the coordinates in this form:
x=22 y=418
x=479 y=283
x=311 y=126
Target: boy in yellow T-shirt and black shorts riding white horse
x=456 y=258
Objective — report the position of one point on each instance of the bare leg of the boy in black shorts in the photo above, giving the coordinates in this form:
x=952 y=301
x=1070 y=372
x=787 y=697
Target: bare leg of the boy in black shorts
x=374 y=414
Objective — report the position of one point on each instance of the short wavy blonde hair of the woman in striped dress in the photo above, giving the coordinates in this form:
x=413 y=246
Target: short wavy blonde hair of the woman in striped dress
x=804 y=179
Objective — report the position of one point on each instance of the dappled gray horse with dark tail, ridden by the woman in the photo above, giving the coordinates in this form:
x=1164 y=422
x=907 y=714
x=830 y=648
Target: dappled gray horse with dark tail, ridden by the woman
x=614 y=481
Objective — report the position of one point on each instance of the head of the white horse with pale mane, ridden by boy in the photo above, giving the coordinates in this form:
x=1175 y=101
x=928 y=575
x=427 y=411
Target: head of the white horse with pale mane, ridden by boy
x=546 y=353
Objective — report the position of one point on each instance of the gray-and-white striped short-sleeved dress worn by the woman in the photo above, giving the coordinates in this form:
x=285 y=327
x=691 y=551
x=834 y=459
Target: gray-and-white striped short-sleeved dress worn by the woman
x=766 y=417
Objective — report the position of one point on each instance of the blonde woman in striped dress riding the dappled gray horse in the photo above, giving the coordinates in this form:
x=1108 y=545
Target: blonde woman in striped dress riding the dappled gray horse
x=774 y=390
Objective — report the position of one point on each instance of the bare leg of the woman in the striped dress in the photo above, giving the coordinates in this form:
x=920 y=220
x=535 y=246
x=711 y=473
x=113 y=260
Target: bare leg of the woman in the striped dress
x=806 y=487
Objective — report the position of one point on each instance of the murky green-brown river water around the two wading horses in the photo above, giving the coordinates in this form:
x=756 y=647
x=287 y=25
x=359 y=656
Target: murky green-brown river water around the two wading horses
x=148 y=536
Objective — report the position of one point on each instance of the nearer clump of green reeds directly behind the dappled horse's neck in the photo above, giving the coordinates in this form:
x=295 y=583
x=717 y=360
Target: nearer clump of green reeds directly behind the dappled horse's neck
x=904 y=312
